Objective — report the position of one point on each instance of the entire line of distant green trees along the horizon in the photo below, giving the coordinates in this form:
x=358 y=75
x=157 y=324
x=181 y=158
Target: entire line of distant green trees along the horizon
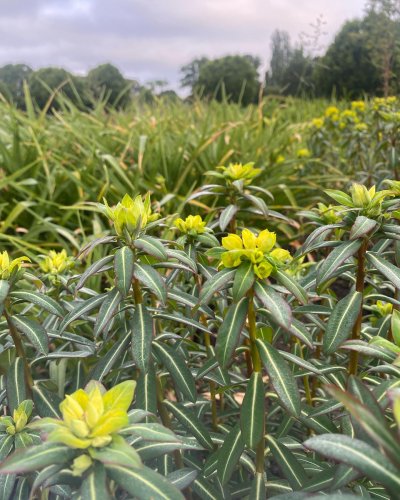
x=363 y=59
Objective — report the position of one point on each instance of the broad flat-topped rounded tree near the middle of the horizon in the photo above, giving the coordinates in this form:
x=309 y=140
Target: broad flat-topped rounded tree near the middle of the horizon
x=232 y=77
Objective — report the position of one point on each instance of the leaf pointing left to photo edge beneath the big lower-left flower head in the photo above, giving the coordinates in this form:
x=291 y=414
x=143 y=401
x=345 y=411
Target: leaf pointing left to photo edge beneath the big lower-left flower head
x=36 y=458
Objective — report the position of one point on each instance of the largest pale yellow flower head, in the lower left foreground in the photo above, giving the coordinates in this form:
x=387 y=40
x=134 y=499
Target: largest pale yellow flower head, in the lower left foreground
x=91 y=417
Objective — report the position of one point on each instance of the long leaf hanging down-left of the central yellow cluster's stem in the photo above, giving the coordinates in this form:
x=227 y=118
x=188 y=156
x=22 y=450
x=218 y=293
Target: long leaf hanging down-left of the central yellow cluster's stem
x=230 y=330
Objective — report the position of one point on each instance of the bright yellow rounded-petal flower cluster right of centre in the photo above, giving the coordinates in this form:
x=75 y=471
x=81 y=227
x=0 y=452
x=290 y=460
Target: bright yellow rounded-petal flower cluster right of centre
x=258 y=249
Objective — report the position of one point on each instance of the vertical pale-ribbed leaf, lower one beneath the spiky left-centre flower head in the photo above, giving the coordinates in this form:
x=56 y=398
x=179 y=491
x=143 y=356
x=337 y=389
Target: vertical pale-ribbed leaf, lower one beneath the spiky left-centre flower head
x=142 y=336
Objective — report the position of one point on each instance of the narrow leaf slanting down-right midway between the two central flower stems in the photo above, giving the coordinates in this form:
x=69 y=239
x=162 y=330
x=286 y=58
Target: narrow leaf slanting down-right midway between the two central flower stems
x=176 y=365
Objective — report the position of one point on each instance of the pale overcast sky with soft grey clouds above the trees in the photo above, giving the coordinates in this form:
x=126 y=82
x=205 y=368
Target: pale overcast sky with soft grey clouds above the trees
x=152 y=39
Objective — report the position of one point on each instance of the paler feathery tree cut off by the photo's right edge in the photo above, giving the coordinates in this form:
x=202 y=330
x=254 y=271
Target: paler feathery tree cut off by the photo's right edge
x=382 y=24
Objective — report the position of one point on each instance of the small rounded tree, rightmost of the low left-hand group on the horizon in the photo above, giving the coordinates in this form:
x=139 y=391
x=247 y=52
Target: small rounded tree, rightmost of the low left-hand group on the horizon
x=106 y=82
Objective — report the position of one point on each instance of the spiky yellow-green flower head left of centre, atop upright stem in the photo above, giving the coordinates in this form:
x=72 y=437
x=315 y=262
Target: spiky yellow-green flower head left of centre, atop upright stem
x=130 y=214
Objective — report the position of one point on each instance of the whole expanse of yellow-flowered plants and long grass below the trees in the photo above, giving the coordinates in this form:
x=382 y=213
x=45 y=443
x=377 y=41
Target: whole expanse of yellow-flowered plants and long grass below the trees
x=199 y=300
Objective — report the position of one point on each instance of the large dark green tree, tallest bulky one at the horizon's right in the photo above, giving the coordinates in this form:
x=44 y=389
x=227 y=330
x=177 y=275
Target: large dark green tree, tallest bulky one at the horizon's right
x=346 y=68
